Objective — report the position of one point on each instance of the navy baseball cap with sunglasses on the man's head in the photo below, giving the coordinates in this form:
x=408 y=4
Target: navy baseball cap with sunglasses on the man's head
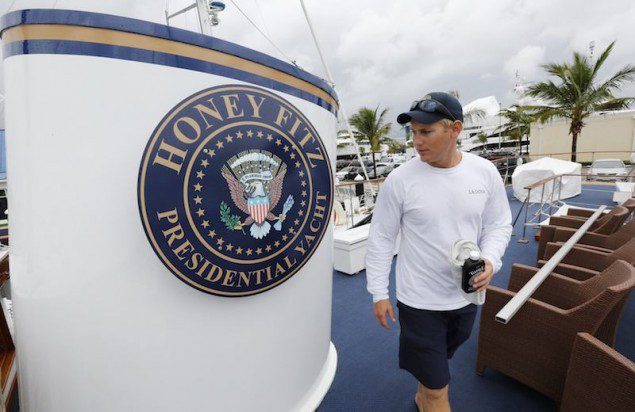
x=433 y=107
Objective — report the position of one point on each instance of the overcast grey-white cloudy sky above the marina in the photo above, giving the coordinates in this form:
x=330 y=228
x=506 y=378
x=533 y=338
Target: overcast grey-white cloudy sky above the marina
x=388 y=53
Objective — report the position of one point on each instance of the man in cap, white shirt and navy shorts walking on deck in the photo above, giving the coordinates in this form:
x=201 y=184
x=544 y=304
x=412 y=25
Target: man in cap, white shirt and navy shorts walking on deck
x=435 y=199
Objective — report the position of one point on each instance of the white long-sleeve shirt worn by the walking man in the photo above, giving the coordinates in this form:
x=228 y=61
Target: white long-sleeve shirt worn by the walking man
x=433 y=208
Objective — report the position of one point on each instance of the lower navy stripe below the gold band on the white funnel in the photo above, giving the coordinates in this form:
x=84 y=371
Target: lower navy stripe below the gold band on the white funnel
x=148 y=56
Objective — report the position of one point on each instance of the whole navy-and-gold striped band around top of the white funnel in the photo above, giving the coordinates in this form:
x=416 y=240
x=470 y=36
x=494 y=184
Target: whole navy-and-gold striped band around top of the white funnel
x=47 y=31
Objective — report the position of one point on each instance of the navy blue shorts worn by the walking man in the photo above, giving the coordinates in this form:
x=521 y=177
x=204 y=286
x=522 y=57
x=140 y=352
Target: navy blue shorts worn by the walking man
x=429 y=338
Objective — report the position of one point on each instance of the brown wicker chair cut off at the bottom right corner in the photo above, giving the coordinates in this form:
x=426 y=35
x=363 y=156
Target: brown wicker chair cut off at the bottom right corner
x=599 y=379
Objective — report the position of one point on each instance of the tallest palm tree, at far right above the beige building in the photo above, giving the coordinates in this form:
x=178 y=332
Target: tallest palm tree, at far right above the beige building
x=578 y=93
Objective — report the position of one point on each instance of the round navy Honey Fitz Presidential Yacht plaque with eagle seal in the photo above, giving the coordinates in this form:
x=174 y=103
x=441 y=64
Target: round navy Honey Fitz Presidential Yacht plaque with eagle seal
x=235 y=190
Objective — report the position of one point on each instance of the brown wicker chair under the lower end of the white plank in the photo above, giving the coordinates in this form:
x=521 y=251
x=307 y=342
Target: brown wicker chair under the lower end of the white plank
x=535 y=346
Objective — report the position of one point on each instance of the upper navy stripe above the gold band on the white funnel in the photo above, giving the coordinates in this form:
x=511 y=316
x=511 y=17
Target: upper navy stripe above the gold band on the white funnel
x=126 y=24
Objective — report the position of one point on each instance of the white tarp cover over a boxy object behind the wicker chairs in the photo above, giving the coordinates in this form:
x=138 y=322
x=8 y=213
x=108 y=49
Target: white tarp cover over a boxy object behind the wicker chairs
x=543 y=168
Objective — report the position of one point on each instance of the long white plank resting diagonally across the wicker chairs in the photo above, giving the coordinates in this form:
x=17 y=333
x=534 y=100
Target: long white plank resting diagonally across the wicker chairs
x=509 y=310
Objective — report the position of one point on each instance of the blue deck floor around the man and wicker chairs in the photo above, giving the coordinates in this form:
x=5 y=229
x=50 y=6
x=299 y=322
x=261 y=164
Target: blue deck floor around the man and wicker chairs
x=368 y=377
